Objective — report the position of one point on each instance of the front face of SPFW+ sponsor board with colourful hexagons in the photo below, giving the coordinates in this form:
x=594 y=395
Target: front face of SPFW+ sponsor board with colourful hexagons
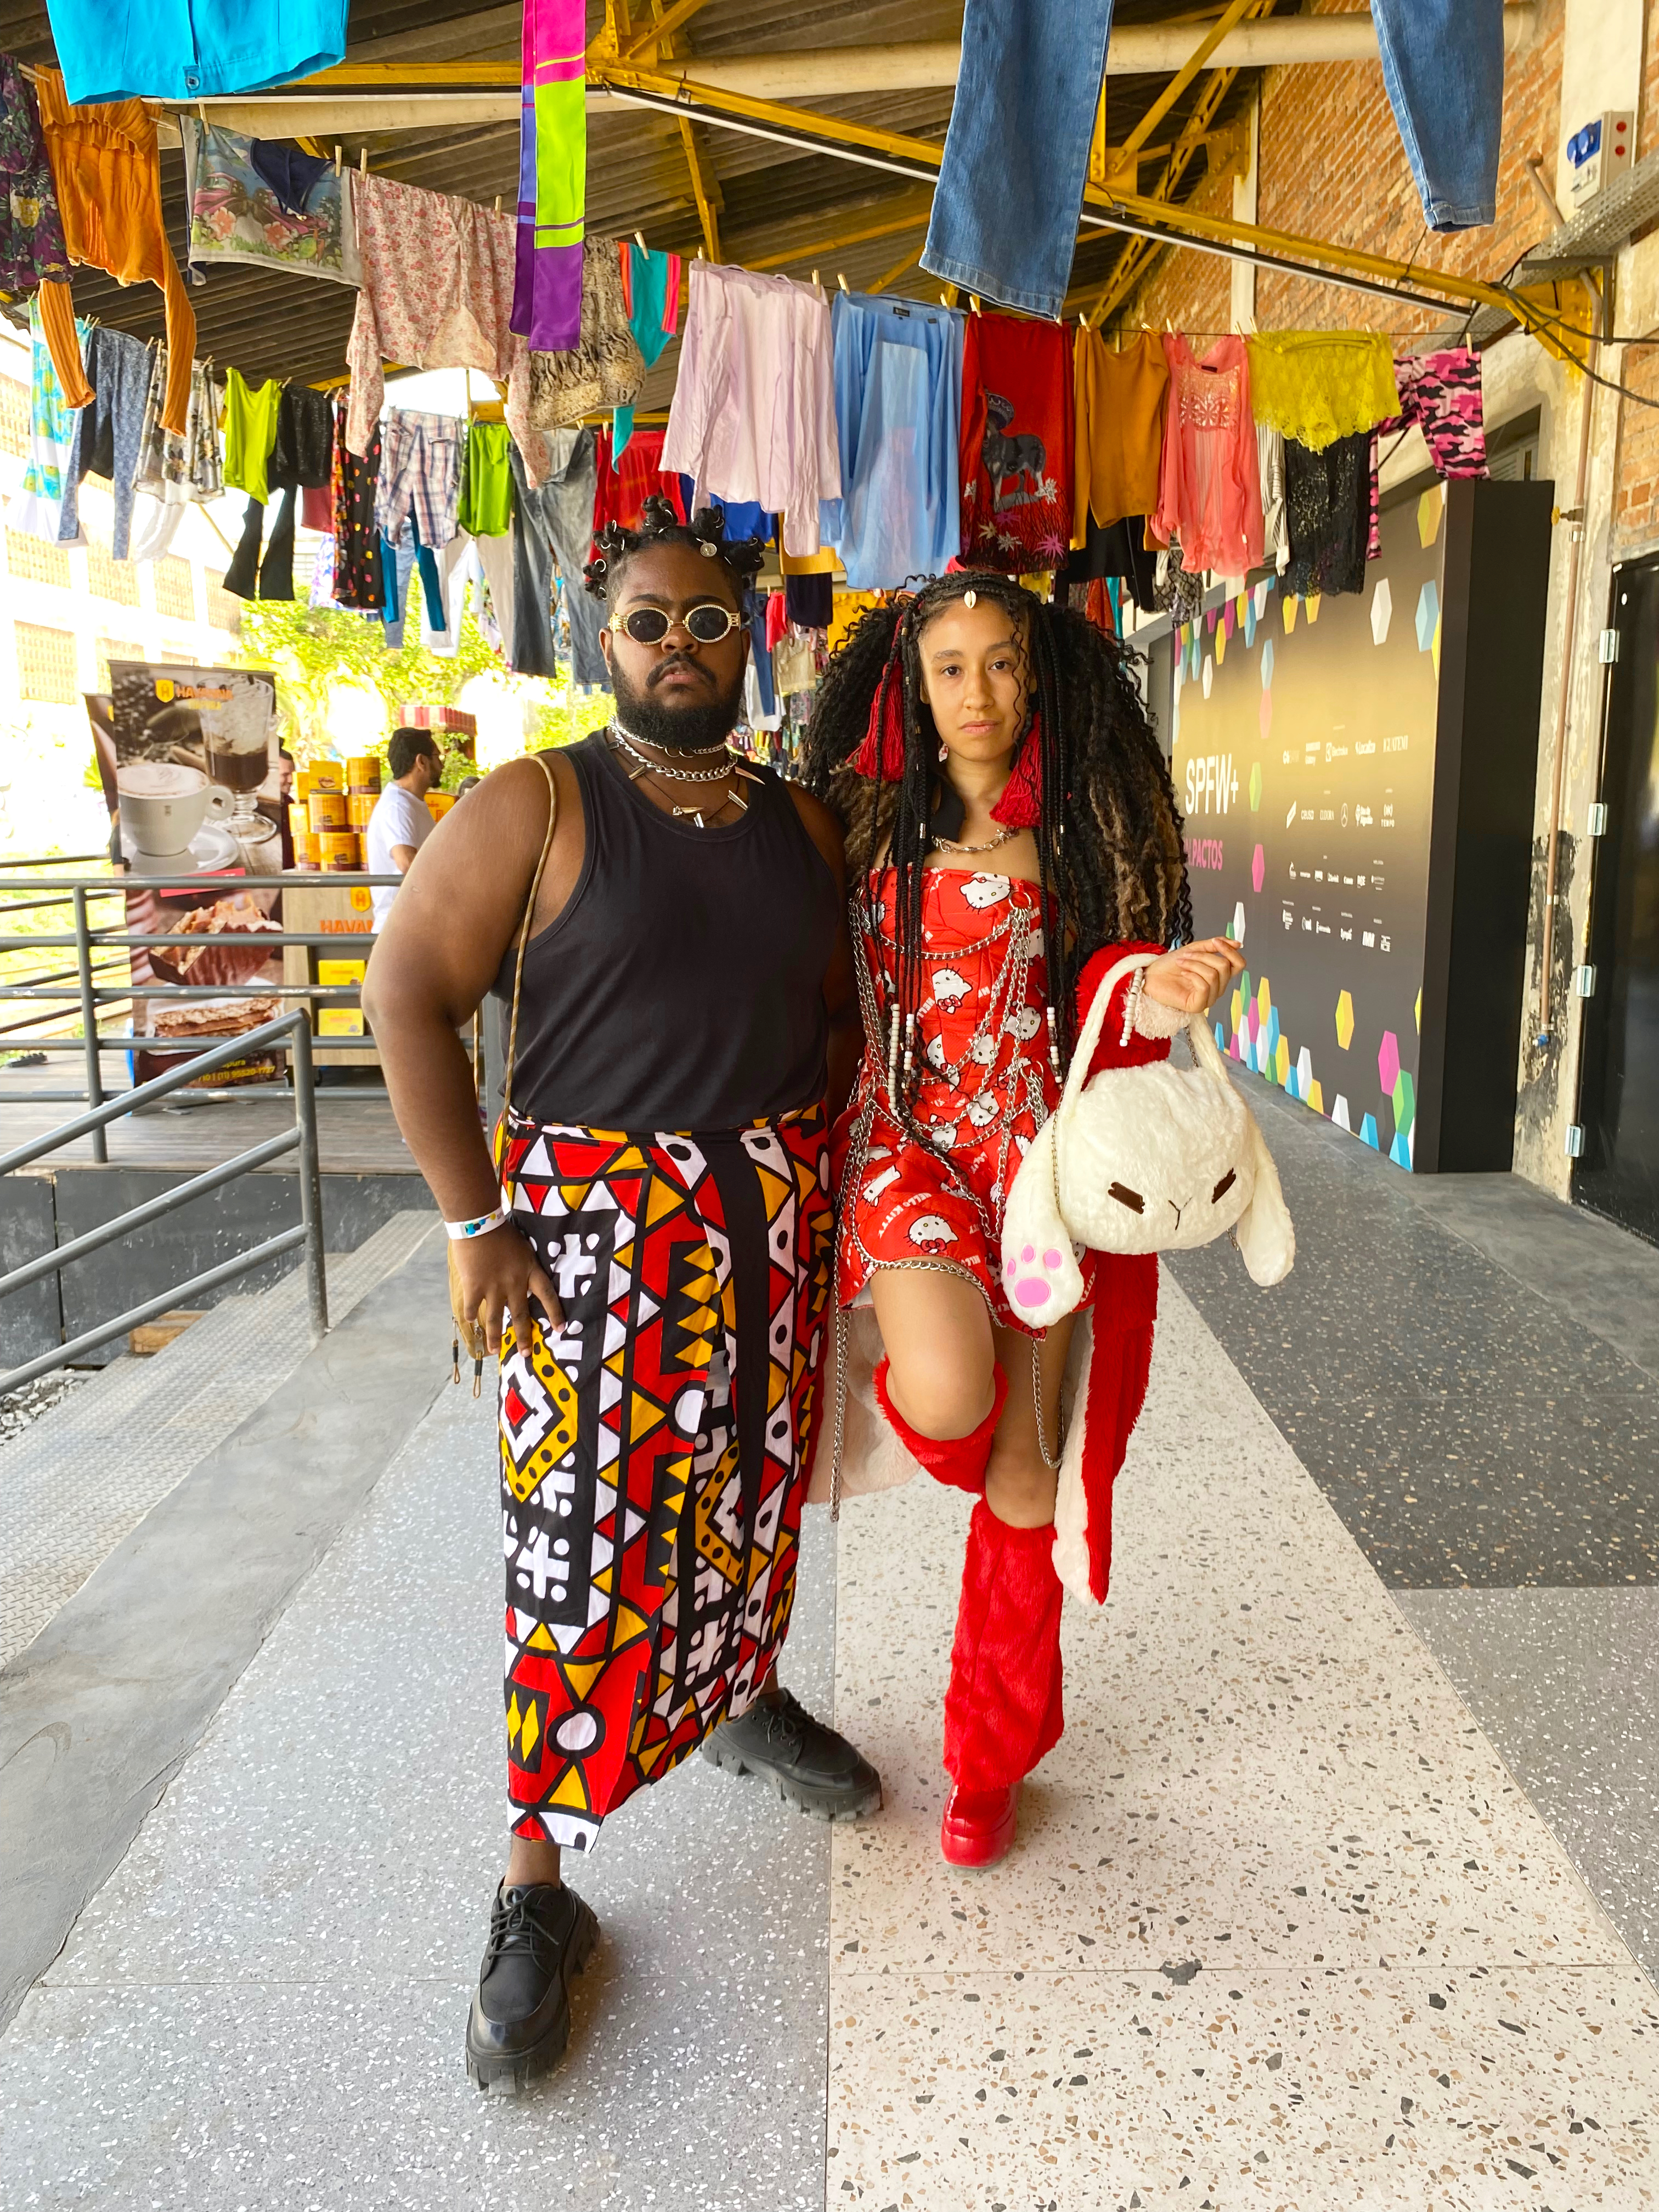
x=1304 y=764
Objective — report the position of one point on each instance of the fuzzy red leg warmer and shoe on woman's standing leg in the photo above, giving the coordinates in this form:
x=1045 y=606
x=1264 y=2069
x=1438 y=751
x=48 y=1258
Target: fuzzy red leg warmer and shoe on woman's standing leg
x=1003 y=1709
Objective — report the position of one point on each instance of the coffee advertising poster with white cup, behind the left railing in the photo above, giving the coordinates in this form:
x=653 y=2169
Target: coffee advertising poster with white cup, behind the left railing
x=191 y=762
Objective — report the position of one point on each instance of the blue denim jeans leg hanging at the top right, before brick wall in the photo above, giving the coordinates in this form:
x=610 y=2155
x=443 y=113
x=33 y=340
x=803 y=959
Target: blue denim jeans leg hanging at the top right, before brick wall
x=1443 y=67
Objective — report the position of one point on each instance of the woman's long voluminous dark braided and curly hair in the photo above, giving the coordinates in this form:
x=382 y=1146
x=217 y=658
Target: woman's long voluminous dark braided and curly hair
x=1112 y=864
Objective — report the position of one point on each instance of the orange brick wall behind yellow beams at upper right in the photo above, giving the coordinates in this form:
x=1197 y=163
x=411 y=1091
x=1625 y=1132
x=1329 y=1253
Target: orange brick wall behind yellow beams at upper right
x=1333 y=167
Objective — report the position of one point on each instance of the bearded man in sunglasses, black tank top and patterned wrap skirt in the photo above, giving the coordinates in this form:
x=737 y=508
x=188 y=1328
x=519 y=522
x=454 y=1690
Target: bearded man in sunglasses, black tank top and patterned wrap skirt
x=649 y=1251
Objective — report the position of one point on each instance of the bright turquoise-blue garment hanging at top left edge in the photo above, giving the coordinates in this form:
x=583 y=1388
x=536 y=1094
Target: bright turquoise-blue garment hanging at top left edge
x=189 y=50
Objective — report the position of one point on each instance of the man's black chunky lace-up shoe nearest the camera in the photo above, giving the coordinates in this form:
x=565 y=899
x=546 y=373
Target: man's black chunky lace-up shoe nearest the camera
x=541 y=1939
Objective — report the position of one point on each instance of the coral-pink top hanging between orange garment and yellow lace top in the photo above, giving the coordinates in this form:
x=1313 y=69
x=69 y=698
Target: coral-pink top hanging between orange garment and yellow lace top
x=1211 y=483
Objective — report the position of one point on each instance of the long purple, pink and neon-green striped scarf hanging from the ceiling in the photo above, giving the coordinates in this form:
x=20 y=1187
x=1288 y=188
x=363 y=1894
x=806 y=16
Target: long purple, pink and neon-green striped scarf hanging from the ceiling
x=552 y=176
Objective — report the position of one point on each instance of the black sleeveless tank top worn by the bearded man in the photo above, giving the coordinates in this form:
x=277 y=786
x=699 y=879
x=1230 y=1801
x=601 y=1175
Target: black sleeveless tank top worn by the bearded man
x=682 y=985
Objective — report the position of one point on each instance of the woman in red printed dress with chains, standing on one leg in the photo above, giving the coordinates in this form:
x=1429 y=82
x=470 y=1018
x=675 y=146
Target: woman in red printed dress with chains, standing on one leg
x=1014 y=833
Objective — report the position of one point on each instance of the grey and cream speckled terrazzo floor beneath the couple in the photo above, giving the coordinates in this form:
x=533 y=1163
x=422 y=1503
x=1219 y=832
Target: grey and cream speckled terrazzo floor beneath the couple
x=264 y=1994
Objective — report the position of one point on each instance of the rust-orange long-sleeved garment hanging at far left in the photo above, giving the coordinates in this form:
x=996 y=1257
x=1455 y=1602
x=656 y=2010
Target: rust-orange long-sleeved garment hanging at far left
x=109 y=191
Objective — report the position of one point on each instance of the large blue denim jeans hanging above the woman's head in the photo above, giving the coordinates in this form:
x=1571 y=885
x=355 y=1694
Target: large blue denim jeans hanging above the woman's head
x=1016 y=156
